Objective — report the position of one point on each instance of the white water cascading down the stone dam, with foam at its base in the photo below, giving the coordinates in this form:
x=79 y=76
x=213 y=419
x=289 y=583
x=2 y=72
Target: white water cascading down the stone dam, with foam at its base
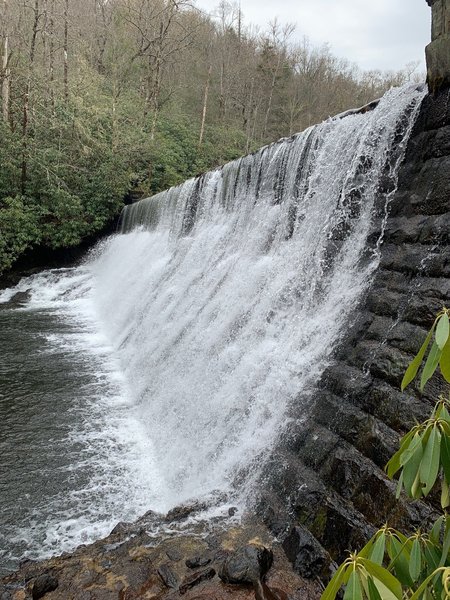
x=220 y=305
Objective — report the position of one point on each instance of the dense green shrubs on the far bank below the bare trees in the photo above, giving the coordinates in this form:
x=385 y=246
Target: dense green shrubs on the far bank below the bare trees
x=81 y=164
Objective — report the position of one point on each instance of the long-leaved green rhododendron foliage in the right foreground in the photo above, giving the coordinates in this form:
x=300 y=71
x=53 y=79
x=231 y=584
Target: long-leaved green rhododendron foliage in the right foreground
x=391 y=565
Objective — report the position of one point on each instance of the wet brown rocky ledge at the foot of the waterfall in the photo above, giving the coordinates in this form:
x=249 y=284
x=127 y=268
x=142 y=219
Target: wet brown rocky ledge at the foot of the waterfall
x=167 y=557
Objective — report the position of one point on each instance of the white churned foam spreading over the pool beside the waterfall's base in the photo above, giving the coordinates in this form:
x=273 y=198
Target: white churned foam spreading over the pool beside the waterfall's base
x=108 y=472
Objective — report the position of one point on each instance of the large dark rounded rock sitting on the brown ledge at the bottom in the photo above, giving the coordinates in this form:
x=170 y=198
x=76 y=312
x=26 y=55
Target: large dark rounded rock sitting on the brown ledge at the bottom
x=246 y=565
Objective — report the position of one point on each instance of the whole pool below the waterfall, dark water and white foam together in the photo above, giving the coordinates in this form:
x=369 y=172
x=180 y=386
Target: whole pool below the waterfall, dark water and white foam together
x=69 y=466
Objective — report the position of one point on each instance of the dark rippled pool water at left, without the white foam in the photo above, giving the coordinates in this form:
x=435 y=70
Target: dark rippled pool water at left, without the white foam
x=38 y=409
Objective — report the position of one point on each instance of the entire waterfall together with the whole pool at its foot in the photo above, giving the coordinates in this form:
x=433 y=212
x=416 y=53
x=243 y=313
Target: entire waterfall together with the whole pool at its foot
x=167 y=366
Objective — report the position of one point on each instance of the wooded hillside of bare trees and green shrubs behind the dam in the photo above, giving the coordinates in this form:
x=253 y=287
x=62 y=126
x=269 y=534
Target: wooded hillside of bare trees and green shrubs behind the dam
x=107 y=101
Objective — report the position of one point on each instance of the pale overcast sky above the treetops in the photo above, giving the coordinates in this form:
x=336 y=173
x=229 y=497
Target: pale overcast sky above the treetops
x=374 y=34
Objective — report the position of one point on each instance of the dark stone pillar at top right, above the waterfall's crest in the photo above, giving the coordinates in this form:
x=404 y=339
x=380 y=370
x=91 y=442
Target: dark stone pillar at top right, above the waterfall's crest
x=438 y=52
